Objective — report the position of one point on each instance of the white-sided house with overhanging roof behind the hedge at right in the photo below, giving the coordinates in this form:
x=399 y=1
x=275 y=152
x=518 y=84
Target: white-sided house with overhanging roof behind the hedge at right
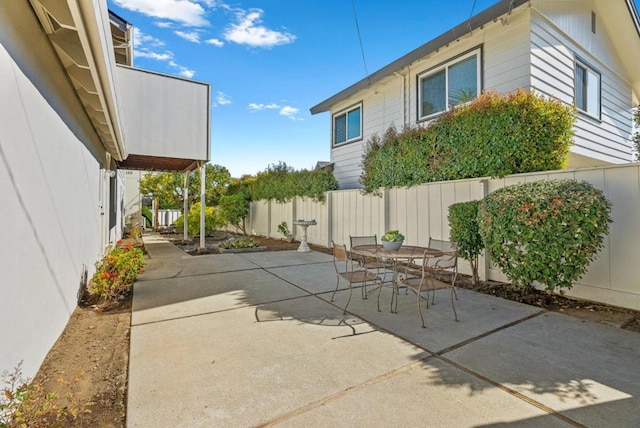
x=582 y=52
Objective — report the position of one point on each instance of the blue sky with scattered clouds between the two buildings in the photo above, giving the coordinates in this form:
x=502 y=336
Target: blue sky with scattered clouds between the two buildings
x=269 y=61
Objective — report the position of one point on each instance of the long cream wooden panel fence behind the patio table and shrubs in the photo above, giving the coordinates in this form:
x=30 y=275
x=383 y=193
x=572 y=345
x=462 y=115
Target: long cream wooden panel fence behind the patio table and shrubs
x=421 y=212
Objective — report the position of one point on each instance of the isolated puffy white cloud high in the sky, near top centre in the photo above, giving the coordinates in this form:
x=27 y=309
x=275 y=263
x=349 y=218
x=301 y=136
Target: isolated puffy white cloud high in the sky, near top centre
x=248 y=31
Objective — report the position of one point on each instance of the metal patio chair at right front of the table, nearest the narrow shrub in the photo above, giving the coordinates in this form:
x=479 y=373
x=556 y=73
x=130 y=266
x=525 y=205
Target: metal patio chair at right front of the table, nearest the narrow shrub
x=439 y=260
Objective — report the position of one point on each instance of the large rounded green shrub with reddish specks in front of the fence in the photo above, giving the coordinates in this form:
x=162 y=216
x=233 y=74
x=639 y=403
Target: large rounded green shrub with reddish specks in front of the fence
x=545 y=231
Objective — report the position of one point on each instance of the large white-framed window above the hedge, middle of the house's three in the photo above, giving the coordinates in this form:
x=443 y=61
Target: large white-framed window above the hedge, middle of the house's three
x=449 y=85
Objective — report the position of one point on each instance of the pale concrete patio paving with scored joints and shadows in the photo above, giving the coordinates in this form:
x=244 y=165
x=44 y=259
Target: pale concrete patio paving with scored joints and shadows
x=243 y=340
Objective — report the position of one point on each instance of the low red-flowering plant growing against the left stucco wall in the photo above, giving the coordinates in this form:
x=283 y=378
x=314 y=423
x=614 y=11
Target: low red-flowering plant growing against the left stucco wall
x=116 y=272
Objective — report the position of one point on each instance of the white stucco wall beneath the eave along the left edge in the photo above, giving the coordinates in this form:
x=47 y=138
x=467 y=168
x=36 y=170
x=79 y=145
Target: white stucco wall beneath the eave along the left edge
x=50 y=192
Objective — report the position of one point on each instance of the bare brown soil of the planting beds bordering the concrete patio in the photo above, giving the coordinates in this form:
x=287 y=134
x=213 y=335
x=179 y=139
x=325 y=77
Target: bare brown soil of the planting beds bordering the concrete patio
x=94 y=347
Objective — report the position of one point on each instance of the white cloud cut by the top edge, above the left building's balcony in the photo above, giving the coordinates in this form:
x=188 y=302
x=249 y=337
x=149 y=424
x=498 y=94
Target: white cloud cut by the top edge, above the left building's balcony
x=187 y=12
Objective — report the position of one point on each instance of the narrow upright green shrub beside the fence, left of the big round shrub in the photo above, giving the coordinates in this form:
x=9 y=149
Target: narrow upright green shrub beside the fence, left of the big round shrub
x=465 y=232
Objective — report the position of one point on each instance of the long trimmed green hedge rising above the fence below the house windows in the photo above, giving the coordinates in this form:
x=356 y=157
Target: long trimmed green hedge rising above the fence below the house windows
x=492 y=136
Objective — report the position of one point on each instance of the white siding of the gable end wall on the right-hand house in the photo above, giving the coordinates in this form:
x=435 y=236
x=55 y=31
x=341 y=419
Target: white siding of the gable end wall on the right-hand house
x=560 y=33
